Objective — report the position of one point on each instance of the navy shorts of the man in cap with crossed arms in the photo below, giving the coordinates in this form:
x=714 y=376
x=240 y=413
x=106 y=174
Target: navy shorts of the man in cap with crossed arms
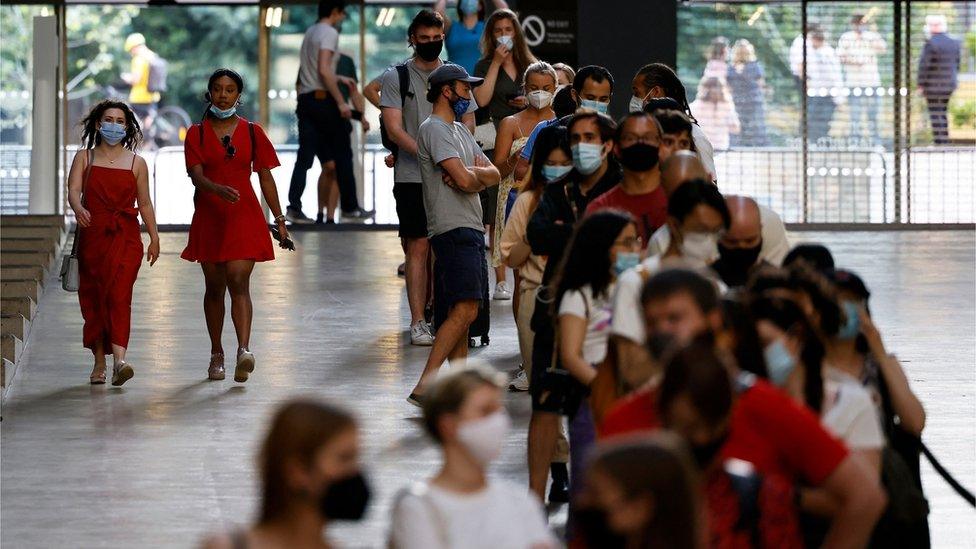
x=460 y=270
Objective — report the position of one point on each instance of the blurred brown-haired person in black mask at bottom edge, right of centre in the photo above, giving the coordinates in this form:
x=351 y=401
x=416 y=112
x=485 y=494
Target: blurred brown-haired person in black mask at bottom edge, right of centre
x=641 y=493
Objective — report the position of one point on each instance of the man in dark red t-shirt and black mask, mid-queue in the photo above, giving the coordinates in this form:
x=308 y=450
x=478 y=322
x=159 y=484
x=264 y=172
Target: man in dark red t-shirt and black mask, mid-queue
x=639 y=191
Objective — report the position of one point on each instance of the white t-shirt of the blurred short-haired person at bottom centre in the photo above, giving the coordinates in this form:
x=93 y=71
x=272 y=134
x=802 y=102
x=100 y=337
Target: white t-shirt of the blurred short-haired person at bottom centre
x=501 y=515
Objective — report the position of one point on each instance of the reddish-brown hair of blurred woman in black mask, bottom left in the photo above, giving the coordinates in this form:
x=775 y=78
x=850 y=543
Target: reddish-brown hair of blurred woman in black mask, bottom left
x=299 y=429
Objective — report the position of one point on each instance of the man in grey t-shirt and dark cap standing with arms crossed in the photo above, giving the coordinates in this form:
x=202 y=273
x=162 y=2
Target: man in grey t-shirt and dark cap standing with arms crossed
x=453 y=170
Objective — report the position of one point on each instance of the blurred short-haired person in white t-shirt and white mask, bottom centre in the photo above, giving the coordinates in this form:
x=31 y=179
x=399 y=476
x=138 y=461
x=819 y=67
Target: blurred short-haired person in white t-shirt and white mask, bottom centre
x=460 y=507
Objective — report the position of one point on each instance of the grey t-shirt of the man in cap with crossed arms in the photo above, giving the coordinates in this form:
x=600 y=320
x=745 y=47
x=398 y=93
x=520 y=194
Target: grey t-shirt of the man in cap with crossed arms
x=447 y=208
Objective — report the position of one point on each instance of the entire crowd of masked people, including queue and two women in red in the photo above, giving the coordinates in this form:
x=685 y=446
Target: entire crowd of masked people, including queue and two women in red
x=693 y=380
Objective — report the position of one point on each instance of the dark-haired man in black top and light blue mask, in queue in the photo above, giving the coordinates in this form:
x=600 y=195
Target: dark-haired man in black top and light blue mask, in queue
x=550 y=228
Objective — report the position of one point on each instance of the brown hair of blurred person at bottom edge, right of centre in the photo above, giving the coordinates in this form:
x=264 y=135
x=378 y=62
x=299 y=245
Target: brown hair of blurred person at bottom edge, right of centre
x=658 y=467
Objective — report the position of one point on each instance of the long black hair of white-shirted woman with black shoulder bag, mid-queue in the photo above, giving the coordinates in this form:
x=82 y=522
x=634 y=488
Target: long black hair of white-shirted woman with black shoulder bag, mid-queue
x=587 y=256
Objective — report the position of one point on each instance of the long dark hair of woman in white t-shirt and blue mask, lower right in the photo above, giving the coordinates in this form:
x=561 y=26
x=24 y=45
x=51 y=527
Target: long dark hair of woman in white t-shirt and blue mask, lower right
x=789 y=317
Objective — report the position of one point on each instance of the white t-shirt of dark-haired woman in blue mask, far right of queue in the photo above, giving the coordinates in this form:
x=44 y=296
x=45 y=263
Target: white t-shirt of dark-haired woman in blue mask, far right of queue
x=849 y=413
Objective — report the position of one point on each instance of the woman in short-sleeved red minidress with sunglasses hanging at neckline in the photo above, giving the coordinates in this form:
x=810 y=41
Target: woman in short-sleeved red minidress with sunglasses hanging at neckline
x=229 y=231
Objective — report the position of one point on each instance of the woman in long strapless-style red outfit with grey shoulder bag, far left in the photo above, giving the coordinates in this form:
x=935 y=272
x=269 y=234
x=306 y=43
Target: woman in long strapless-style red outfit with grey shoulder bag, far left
x=106 y=181
